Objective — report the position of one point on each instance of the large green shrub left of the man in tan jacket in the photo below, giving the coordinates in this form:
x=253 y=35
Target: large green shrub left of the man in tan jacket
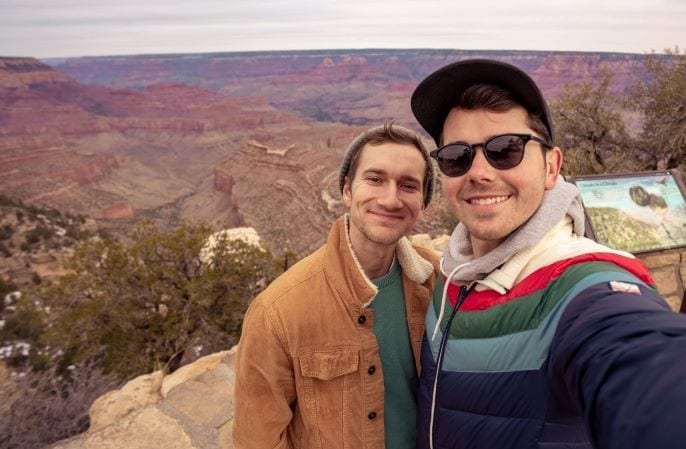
x=151 y=303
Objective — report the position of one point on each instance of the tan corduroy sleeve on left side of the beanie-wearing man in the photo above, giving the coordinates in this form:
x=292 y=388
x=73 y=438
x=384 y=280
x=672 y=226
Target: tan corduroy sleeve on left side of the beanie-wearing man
x=265 y=388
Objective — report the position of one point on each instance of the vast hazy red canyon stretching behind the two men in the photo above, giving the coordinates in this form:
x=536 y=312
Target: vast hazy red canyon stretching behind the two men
x=234 y=139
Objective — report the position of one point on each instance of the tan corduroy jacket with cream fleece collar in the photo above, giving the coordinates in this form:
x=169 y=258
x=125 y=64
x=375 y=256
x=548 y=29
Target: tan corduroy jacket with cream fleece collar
x=308 y=371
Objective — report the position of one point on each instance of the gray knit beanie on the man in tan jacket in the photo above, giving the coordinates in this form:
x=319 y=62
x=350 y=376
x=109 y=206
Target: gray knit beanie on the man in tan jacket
x=389 y=132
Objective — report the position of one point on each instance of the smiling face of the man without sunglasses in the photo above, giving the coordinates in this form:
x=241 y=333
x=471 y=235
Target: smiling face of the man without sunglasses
x=385 y=196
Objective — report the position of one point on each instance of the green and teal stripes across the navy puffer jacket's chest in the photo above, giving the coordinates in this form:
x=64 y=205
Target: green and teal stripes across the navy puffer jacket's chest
x=511 y=344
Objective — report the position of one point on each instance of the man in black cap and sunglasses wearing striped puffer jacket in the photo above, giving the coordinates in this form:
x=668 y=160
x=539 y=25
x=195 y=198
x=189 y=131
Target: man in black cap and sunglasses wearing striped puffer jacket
x=536 y=336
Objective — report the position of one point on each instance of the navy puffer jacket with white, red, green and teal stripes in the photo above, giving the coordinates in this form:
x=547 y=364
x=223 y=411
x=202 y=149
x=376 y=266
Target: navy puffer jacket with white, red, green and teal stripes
x=539 y=353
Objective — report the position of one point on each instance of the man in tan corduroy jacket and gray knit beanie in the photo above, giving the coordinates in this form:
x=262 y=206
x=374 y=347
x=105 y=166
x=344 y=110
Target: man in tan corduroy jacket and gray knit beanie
x=329 y=352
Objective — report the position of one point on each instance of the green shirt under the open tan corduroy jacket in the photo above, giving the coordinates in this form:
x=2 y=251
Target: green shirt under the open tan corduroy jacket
x=397 y=361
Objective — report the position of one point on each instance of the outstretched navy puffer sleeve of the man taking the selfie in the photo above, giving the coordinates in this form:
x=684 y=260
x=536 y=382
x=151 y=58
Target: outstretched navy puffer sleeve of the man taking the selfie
x=620 y=359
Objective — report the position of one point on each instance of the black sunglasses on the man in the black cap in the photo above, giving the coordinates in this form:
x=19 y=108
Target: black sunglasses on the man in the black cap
x=502 y=152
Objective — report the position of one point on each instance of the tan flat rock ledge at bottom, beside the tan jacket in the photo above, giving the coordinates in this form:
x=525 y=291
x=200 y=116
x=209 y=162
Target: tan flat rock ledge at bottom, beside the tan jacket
x=191 y=408
